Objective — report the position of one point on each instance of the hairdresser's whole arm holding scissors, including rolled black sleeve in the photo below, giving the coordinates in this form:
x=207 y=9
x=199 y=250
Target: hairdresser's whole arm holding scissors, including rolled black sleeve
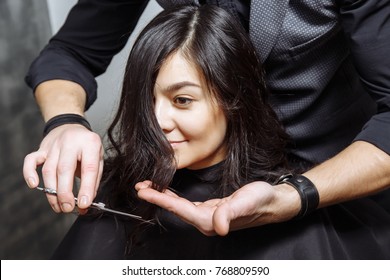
x=63 y=80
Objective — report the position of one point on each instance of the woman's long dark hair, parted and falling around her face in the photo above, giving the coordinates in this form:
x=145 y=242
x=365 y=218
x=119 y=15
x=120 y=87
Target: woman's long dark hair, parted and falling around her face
x=212 y=40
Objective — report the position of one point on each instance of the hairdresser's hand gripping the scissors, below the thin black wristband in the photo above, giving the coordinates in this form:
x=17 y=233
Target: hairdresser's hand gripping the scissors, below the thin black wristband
x=66 y=151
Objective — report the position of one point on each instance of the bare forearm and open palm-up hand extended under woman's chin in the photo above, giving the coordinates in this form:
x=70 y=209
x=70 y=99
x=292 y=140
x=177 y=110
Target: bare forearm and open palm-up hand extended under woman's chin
x=360 y=170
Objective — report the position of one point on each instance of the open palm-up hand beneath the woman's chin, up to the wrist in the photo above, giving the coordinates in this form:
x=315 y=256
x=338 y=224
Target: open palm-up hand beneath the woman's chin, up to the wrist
x=254 y=204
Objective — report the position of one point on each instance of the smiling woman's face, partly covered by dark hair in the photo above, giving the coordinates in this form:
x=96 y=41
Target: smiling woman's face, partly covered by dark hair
x=181 y=97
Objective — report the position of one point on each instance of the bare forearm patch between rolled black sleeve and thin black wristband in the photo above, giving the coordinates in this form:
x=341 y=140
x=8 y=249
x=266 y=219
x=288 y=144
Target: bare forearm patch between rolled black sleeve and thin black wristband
x=56 y=97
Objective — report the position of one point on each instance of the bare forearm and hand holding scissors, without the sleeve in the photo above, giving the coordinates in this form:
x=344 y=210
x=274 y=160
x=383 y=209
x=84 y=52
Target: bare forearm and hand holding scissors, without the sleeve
x=66 y=150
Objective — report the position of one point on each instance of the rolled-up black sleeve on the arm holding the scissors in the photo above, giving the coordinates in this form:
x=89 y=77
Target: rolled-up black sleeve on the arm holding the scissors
x=94 y=31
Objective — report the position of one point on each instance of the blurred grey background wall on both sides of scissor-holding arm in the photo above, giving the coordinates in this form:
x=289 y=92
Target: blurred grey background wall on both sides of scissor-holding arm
x=29 y=228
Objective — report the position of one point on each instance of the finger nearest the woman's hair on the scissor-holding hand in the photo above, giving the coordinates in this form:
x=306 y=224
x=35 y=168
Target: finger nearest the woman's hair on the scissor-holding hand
x=91 y=171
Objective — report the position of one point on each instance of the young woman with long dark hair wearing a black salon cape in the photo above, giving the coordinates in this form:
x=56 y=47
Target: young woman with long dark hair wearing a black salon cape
x=194 y=121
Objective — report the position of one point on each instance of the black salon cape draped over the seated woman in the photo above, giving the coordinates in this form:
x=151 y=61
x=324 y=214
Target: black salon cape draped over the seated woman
x=358 y=229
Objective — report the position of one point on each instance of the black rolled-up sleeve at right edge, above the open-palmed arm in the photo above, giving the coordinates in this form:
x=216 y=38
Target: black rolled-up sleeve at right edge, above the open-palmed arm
x=367 y=25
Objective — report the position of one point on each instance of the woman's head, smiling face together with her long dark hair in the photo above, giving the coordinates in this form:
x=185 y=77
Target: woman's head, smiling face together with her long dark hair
x=193 y=76
